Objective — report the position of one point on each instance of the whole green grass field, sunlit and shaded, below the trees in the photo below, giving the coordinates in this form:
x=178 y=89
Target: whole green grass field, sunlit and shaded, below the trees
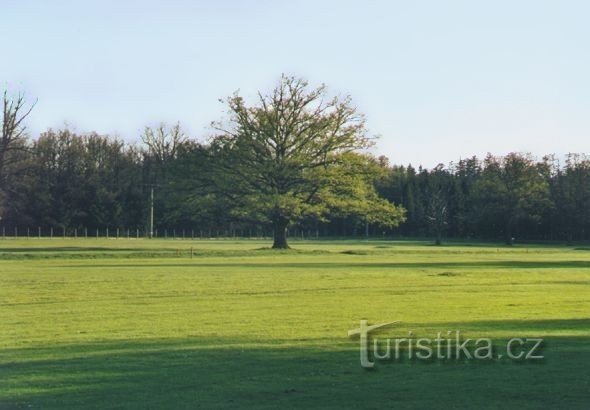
x=142 y=324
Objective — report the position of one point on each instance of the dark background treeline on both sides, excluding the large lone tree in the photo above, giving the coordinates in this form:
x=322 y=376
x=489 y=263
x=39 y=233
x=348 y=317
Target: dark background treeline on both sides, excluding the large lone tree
x=91 y=181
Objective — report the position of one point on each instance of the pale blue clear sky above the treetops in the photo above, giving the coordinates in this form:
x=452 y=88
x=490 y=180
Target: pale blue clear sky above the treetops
x=437 y=80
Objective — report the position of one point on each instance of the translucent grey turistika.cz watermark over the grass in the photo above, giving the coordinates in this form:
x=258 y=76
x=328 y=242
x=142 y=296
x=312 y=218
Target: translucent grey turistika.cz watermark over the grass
x=445 y=346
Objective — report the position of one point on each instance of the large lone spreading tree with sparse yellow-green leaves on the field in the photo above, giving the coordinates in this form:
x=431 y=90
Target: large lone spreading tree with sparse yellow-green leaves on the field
x=287 y=158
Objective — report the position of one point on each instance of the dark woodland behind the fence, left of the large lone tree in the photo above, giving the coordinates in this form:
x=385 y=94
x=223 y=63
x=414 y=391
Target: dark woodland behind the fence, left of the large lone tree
x=90 y=181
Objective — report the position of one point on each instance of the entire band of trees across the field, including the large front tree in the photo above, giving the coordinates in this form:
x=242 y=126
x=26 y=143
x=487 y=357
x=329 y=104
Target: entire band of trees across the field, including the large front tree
x=262 y=172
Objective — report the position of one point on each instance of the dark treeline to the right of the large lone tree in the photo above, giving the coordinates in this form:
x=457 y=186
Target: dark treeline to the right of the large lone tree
x=512 y=197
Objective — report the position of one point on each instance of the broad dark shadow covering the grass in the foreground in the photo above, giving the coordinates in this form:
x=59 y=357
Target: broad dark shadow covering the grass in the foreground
x=229 y=373
